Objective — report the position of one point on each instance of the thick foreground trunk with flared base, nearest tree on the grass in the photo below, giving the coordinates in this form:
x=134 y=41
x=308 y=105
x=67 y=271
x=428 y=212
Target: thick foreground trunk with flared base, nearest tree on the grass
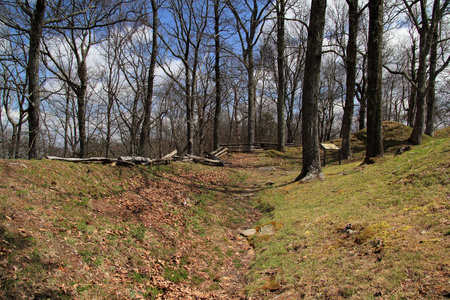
x=310 y=139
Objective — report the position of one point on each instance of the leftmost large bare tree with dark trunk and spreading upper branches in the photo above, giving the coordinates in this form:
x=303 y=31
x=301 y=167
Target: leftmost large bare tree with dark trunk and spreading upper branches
x=32 y=18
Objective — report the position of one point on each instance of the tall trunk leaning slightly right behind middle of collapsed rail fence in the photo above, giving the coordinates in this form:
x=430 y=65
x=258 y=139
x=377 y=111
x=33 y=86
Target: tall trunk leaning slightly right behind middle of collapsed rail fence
x=145 y=131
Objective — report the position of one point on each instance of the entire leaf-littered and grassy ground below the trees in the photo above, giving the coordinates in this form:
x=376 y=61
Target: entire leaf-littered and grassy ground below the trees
x=92 y=231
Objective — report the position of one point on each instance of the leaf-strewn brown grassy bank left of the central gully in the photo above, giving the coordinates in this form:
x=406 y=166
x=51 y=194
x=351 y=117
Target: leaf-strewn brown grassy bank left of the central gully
x=92 y=231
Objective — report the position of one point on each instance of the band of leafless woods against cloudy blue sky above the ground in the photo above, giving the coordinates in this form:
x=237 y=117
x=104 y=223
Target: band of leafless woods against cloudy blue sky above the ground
x=116 y=78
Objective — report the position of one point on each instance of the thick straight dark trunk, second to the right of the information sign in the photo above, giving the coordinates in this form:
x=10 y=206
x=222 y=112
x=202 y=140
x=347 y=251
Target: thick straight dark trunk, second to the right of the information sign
x=374 y=146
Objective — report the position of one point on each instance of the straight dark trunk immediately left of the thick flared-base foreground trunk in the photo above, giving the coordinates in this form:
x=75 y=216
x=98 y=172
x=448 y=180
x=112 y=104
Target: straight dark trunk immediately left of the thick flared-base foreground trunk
x=281 y=79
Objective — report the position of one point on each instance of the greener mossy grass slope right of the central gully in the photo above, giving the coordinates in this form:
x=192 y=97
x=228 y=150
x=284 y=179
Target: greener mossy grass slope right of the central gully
x=366 y=232
